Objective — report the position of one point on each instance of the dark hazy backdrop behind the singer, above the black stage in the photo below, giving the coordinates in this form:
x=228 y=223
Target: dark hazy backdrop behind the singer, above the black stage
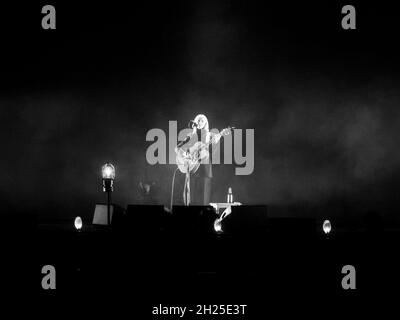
x=324 y=102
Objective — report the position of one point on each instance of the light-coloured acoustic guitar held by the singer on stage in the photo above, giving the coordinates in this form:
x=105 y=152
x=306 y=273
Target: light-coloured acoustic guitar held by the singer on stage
x=189 y=160
